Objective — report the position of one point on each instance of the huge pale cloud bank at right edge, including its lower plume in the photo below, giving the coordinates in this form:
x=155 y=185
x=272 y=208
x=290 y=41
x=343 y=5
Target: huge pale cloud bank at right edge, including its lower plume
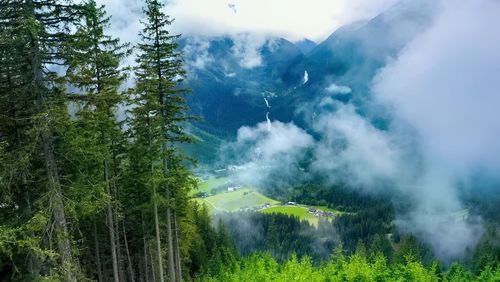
x=445 y=86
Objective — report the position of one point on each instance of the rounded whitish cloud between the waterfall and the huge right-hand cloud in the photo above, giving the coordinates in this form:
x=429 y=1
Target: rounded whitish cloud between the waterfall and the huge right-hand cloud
x=353 y=151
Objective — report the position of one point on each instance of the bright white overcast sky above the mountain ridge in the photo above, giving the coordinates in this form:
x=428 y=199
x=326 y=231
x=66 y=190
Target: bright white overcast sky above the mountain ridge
x=291 y=19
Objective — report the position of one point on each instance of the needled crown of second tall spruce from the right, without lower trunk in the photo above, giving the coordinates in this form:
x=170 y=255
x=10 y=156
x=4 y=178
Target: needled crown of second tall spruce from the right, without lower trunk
x=94 y=137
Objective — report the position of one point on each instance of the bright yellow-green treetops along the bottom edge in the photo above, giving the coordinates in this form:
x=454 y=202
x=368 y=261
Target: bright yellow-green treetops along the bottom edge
x=262 y=267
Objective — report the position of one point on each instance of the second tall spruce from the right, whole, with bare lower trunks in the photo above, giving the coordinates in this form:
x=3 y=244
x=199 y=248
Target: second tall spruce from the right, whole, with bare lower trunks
x=94 y=60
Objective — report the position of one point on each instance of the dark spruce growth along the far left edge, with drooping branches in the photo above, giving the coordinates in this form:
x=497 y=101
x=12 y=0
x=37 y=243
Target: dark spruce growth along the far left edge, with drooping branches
x=32 y=213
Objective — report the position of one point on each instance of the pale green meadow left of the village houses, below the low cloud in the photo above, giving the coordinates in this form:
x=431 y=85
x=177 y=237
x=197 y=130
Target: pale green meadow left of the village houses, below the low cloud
x=233 y=201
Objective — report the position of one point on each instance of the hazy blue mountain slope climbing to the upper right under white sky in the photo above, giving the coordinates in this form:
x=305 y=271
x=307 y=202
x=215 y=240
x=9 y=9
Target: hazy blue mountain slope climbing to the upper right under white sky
x=352 y=55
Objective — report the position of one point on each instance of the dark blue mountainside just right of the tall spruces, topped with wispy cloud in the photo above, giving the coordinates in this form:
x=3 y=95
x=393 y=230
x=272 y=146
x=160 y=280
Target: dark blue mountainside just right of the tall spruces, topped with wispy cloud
x=230 y=78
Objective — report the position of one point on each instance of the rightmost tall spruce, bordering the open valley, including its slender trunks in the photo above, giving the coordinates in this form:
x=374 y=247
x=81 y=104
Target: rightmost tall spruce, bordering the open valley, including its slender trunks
x=157 y=124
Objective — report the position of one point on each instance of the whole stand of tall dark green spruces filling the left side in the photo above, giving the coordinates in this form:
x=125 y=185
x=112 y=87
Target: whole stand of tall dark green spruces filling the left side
x=88 y=192
